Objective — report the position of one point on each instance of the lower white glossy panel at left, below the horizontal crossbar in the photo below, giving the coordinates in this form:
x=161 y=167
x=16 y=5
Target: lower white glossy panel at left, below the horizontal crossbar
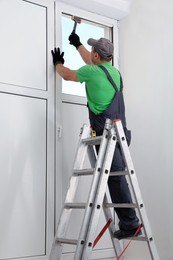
x=23 y=176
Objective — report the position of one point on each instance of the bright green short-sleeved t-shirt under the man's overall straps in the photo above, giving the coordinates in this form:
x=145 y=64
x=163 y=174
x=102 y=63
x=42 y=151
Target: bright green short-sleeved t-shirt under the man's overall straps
x=99 y=90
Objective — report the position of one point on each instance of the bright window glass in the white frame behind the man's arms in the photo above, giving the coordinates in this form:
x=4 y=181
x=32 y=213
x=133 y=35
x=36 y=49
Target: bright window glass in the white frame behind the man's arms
x=85 y=30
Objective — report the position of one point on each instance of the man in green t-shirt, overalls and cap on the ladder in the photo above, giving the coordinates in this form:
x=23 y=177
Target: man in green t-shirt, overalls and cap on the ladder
x=104 y=101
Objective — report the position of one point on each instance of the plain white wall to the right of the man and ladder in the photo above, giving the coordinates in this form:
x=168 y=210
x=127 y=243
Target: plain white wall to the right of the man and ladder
x=146 y=53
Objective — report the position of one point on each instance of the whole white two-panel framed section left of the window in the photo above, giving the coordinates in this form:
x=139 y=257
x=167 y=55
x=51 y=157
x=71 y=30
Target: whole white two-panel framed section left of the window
x=26 y=129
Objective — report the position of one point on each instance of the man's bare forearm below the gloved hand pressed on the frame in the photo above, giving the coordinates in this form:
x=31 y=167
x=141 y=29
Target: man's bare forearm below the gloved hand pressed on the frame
x=66 y=73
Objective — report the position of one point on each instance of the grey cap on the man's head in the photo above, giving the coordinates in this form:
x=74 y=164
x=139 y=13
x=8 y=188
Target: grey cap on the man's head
x=103 y=46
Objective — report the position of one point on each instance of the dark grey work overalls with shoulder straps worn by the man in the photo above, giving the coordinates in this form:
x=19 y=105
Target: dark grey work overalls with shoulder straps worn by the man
x=118 y=187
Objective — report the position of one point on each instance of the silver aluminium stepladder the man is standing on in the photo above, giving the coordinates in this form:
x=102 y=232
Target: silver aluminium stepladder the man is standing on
x=97 y=198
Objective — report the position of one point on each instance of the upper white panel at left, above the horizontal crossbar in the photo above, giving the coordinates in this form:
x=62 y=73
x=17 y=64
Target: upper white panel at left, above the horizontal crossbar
x=23 y=44
